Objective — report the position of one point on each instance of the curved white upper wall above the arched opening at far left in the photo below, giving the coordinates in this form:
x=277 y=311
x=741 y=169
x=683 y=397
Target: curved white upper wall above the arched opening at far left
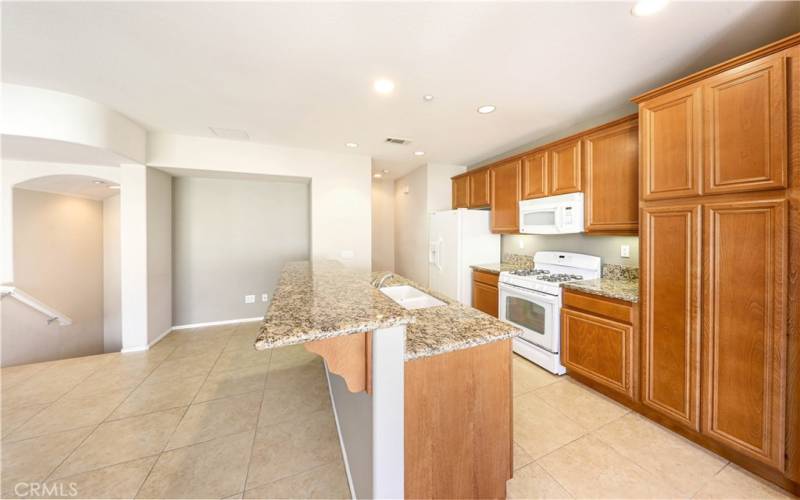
x=46 y=114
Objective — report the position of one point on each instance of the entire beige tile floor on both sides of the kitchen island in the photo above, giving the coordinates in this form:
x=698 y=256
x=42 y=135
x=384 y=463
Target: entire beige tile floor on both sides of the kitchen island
x=202 y=415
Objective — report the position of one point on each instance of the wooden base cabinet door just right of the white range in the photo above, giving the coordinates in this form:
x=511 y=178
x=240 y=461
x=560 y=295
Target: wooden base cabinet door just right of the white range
x=598 y=348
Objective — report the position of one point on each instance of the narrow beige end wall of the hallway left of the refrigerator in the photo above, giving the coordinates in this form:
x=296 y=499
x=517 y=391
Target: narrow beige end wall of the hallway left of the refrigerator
x=383 y=225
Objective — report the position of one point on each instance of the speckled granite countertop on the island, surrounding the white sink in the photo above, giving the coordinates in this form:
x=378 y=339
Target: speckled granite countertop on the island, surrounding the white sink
x=320 y=300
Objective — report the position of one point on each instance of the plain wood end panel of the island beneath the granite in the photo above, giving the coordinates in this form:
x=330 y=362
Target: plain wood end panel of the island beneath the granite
x=458 y=429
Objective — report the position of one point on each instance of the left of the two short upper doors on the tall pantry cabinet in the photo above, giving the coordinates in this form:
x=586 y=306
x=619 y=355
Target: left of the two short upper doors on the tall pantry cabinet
x=671 y=145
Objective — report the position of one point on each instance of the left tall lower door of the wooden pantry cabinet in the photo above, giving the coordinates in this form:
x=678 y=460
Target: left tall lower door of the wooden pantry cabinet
x=670 y=320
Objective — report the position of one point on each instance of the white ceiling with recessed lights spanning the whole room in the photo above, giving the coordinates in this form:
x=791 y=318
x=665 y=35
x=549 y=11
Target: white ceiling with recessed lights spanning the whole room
x=301 y=75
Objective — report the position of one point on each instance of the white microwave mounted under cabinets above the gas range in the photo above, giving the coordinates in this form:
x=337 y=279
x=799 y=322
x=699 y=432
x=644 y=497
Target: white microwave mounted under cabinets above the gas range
x=560 y=214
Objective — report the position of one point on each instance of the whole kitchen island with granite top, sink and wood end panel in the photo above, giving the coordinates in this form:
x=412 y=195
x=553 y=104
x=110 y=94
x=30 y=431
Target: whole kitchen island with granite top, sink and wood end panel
x=422 y=397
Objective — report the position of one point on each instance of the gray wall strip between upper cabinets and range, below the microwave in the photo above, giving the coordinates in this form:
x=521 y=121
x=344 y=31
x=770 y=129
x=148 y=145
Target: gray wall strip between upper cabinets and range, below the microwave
x=605 y=247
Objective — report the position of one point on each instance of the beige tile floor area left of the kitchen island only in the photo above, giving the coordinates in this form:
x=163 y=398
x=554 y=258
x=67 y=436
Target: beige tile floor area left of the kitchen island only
x=201 y=415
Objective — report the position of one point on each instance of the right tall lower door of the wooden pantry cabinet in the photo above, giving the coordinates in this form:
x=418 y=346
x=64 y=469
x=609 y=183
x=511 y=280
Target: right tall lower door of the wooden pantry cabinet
x=744 y=327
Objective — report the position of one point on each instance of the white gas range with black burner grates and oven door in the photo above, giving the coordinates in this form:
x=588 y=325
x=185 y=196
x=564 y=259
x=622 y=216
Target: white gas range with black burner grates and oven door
x=531 y=300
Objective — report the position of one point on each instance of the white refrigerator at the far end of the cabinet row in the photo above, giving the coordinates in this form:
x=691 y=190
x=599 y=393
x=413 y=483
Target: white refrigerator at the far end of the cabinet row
x=458 y=239
